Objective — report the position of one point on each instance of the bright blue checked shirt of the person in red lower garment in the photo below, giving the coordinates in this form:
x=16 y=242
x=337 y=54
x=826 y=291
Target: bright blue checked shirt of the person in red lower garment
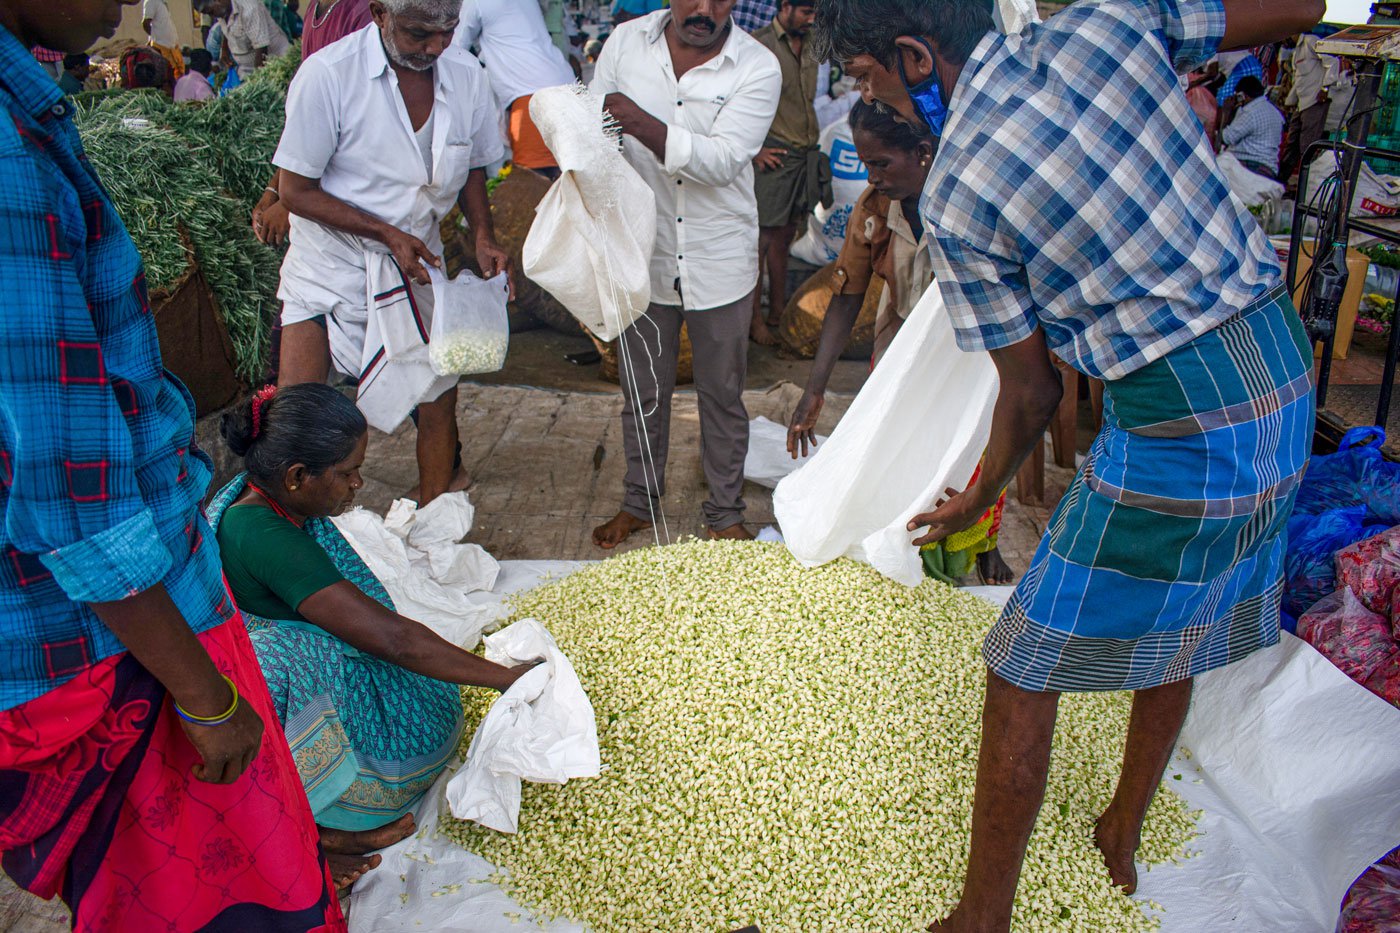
x=100 y=481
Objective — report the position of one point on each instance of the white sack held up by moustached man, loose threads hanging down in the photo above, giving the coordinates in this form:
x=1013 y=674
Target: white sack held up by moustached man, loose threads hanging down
x=593 y=236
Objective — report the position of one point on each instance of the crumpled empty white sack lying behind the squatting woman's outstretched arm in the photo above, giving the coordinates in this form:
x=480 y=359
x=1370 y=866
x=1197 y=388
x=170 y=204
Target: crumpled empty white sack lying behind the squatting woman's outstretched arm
x=430 y=576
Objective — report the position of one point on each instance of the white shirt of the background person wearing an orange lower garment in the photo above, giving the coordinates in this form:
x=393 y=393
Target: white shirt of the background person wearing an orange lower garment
x=517 y=50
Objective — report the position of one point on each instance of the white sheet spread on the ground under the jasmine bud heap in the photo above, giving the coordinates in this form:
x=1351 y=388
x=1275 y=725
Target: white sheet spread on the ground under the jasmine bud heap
x=1300 y=791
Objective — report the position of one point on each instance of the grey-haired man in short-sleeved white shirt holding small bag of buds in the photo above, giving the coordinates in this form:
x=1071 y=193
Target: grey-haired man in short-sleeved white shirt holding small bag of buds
x=386 y=132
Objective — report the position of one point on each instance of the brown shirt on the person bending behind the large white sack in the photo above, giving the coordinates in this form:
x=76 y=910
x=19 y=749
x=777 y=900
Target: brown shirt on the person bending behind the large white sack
x=881 y=243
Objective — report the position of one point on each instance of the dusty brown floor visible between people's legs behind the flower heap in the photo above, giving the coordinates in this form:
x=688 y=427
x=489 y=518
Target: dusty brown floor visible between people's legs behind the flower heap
x=542 y=442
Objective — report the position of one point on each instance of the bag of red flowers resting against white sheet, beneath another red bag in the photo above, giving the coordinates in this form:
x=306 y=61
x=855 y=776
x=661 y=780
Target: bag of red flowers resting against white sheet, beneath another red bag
x=1360 y=642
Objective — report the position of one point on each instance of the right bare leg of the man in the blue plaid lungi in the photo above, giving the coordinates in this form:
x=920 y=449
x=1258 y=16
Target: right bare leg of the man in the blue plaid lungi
x=1157 y=721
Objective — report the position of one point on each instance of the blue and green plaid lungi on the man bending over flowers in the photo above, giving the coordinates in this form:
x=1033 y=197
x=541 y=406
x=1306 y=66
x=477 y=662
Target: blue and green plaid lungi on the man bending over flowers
x=1165 y=557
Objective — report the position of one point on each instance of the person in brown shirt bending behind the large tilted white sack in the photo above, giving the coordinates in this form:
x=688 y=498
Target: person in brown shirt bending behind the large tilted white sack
x=885 y=237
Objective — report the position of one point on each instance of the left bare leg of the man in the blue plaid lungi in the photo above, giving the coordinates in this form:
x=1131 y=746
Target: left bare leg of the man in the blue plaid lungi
x=1013 y=766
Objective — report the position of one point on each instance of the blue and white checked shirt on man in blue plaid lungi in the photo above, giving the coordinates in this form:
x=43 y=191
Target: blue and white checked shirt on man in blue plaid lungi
x=1076 y=191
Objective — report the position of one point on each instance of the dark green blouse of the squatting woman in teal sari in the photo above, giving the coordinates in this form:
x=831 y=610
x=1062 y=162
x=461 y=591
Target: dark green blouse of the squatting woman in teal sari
x=272 y=565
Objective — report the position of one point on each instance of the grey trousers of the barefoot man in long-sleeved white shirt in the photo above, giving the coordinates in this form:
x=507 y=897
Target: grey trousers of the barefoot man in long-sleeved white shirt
x=720 y=341
